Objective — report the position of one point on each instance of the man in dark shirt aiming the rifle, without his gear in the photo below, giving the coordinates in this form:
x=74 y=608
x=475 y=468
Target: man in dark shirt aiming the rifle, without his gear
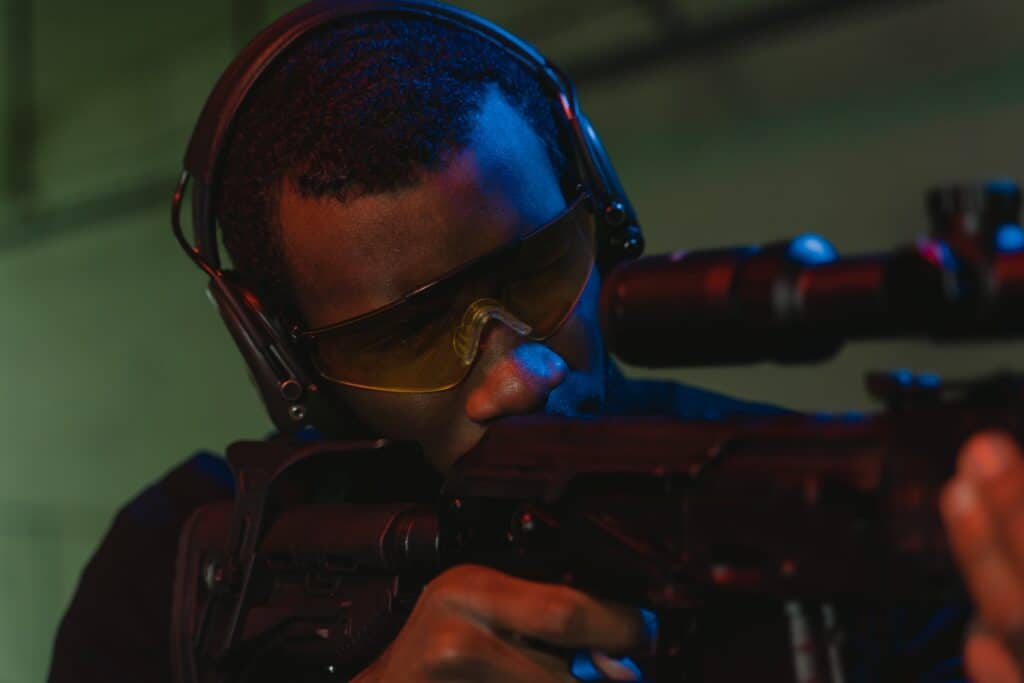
x=377 y=158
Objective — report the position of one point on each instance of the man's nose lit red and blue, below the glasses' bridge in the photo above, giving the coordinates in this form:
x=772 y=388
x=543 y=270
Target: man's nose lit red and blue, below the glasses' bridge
x=514 y=376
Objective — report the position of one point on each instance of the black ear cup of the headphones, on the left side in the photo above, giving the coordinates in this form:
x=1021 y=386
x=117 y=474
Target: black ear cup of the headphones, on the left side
x=292 y=400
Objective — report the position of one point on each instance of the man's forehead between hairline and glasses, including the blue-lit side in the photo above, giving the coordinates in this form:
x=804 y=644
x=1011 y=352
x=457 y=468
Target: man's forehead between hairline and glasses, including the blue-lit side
x=348 y=260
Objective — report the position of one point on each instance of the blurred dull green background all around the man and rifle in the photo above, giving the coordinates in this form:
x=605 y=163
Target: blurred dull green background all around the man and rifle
x=730 y=121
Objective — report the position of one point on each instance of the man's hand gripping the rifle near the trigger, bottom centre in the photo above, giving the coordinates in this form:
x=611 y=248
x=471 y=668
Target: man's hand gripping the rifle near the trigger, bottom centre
x=476 y=624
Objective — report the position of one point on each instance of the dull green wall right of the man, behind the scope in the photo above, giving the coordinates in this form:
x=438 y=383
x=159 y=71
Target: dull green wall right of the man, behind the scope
x=838 y=132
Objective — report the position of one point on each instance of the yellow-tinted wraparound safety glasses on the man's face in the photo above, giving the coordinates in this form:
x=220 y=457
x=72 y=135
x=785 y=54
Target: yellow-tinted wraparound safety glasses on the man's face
x=428 y=340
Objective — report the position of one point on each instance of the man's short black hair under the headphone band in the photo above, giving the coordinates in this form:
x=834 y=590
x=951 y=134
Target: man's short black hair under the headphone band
x=360 y=108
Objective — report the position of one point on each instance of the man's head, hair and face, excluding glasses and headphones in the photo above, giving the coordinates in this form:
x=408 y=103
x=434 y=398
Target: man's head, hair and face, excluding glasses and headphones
x=379 y=156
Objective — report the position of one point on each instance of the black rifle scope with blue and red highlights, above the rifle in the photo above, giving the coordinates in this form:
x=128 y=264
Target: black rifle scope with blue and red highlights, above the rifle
x=798 y=302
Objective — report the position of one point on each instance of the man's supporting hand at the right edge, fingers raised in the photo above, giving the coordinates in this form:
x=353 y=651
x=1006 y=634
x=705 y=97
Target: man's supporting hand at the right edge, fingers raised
x=984 y=509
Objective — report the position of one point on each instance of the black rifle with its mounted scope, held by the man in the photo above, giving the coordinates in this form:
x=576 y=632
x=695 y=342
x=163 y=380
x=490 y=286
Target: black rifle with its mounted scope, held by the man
x=674 y=516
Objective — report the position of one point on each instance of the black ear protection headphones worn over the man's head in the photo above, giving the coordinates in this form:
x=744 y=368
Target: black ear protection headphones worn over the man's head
x=288 y=387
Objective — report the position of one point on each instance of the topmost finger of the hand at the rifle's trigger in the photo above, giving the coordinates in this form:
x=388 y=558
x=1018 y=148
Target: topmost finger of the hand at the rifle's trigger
x=557 y=615
